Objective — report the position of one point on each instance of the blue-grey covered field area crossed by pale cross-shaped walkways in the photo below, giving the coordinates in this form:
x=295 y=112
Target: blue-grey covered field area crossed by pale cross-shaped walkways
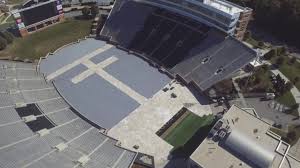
x=104 y=84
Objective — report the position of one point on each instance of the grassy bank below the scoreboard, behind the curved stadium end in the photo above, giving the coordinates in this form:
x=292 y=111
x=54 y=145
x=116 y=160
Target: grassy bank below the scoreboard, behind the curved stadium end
x=48 y=40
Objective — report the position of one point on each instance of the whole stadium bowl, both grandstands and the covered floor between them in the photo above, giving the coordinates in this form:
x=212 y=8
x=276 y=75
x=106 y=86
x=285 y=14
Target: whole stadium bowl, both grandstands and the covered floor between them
x=100 y=102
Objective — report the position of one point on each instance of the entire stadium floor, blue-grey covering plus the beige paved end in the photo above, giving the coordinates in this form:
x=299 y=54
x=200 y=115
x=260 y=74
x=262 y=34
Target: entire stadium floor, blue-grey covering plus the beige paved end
x=120 y=92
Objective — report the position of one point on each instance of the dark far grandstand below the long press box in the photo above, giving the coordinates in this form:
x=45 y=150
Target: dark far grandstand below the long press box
x=195 y=52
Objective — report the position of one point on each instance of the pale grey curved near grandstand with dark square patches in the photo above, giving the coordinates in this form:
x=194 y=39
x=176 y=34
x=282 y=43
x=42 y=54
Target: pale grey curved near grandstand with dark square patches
x=25 y=140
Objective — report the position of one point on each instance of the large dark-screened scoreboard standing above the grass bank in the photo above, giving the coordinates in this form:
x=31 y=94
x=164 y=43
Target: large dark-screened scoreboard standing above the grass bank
x=33 y=16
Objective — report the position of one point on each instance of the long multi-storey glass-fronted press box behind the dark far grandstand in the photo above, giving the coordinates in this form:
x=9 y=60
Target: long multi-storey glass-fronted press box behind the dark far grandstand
x=221 y=14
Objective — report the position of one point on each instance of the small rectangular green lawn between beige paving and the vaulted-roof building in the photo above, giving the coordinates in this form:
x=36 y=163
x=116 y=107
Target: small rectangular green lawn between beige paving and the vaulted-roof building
x=187 y=128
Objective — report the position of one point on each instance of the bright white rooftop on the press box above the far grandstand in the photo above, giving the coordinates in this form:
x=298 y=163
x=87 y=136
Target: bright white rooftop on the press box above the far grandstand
x=224 y=6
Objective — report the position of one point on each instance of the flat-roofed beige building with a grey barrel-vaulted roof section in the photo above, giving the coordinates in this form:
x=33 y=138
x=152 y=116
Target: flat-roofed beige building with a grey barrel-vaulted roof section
x=242 y=139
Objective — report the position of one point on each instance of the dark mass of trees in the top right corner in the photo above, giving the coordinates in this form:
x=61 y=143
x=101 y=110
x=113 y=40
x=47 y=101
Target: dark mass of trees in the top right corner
x=280 y=17
